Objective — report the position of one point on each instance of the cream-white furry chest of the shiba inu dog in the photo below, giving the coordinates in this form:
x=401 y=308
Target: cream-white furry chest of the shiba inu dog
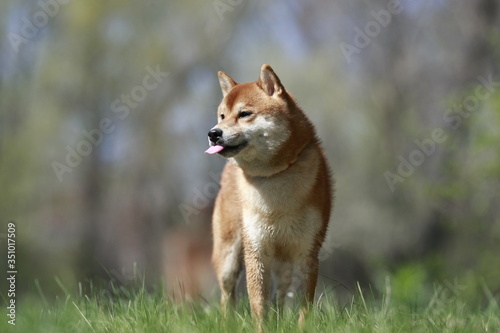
x=277 y=219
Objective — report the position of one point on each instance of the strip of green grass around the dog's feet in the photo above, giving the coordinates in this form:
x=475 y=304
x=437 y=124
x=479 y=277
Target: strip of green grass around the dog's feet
x=125 y=311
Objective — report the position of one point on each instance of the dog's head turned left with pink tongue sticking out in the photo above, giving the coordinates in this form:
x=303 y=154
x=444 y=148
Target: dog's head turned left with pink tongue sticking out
x=253 y=118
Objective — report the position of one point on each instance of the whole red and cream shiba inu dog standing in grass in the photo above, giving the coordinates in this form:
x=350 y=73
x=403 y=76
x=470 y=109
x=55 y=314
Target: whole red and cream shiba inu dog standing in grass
x=273 y=208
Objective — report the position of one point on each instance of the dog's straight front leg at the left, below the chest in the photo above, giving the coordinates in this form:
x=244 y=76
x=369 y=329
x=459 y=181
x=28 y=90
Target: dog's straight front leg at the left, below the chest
x=258 y=282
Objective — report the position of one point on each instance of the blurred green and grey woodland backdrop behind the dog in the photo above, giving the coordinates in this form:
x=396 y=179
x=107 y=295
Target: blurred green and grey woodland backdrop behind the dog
x=105 y=107
